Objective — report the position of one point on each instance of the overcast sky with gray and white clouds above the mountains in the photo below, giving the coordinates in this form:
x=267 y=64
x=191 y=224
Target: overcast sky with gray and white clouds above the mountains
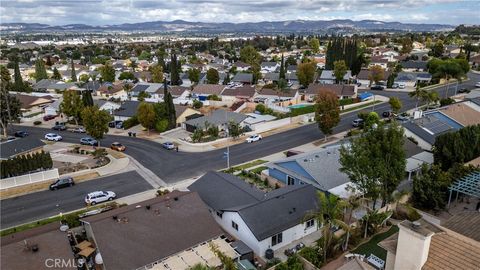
x=102 y=12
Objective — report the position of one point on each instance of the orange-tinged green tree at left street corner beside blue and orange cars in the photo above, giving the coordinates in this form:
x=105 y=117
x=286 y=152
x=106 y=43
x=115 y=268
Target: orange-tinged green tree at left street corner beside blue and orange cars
x=96 y=121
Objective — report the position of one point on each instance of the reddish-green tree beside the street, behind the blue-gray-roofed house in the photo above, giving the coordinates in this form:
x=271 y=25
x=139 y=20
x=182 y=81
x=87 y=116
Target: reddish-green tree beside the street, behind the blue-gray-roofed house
x=327 y=113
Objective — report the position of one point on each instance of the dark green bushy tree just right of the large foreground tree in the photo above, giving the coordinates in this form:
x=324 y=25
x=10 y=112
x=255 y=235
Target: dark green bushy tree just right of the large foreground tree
x=430 y=188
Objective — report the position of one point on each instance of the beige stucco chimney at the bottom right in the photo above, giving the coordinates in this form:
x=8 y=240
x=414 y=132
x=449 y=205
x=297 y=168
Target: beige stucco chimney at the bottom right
x=413 y=245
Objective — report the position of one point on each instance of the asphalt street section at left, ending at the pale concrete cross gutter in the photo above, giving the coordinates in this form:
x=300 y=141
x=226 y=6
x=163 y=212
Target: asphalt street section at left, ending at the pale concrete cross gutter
x=48 y=203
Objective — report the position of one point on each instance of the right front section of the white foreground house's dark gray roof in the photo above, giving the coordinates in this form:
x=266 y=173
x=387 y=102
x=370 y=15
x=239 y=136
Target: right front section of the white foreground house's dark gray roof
x=285 y=209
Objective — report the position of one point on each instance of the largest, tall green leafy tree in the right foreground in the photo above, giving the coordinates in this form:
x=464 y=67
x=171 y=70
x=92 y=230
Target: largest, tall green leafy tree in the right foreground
x=375 y=161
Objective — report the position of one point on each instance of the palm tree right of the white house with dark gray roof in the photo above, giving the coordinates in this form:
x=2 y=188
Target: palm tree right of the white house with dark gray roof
x=328 y=216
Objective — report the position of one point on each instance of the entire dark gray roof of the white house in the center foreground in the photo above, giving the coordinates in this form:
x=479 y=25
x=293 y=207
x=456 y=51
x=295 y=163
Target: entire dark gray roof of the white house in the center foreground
x=264 y=213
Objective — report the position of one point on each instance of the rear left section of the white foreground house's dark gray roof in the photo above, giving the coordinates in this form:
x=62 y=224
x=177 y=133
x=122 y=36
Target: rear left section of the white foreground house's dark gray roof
x=223 y=191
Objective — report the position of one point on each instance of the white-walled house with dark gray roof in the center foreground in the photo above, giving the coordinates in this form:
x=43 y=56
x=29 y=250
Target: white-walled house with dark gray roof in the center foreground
x=263 y=221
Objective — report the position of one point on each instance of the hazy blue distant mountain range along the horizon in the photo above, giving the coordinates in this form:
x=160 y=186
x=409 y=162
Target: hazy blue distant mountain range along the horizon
x=346 y=26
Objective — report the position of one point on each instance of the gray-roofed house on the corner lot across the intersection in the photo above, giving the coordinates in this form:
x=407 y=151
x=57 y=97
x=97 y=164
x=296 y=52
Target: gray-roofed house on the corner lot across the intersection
x=218 y=118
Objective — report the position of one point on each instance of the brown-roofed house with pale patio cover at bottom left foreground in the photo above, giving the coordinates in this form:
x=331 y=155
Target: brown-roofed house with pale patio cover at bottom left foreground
x=173 y=231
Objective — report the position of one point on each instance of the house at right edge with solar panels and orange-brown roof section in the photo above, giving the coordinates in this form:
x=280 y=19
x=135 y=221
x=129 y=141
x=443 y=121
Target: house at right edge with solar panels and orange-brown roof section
x=439 y=121
